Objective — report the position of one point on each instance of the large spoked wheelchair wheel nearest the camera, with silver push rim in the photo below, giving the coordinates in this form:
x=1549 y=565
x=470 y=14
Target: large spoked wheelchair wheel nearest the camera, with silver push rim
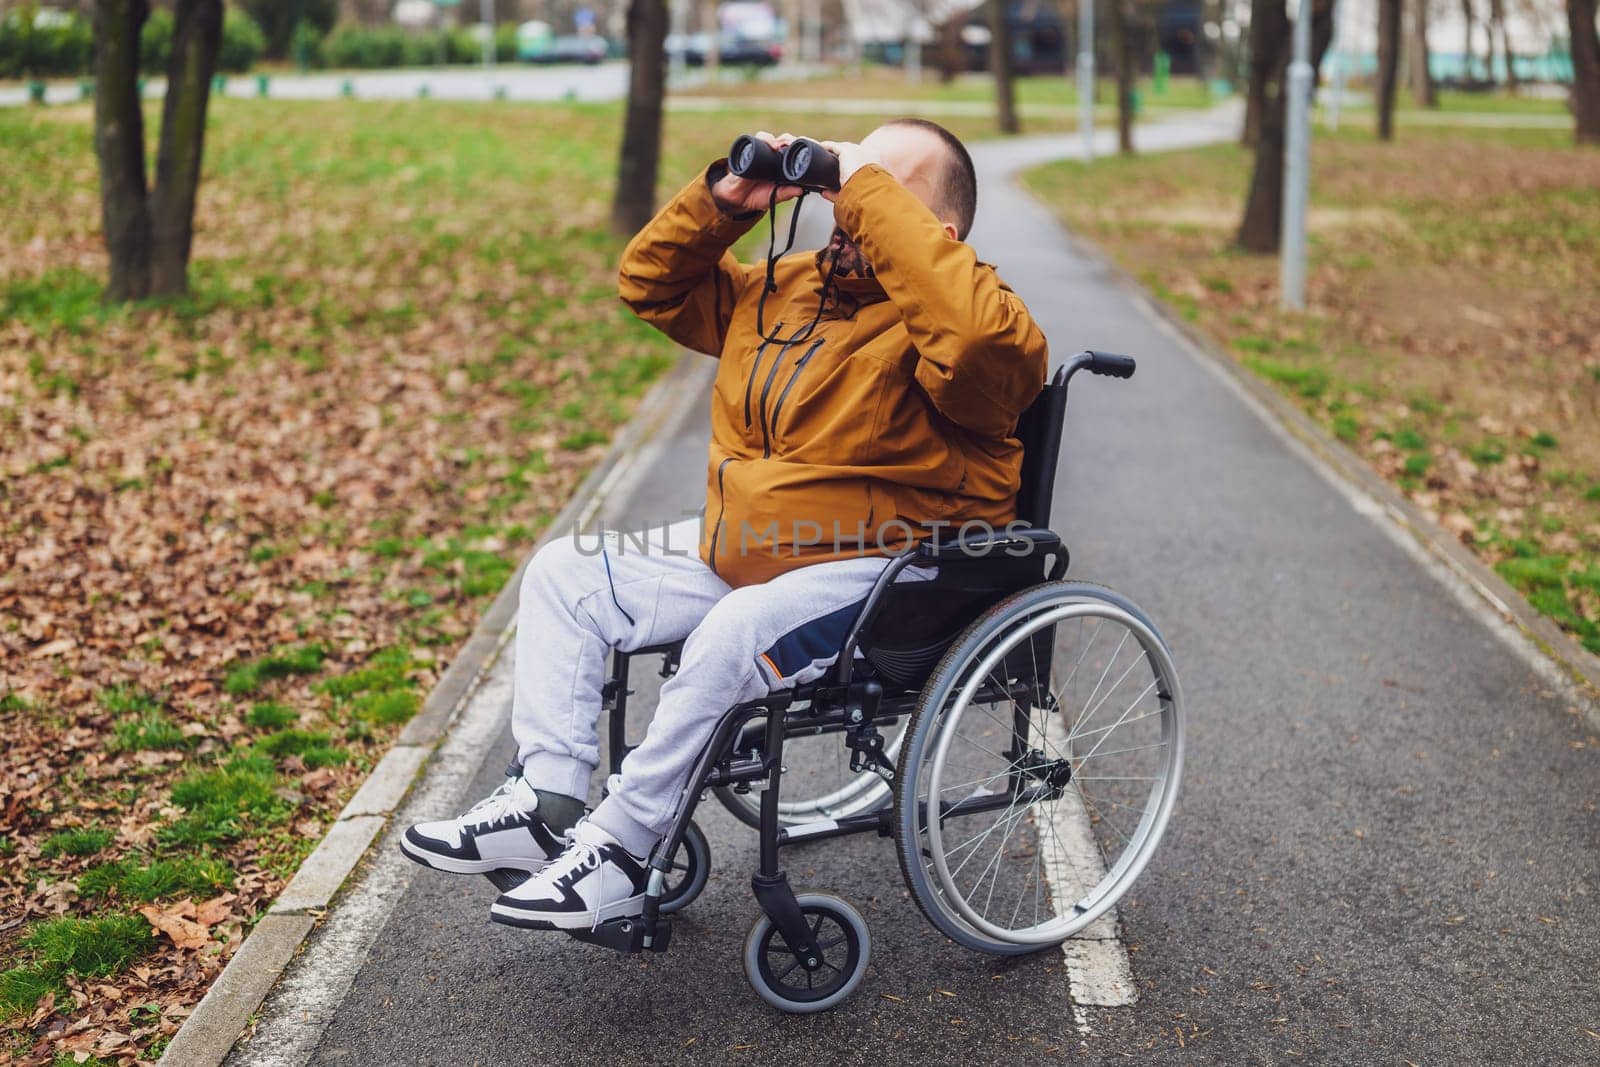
x=1039 y=769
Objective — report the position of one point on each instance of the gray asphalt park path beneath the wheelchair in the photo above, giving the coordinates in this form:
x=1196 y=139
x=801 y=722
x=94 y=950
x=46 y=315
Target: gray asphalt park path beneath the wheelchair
x=1386 y=850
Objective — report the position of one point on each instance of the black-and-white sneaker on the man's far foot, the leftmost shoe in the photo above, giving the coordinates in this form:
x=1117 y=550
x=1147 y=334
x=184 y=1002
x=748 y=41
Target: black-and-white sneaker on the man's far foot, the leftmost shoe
x=502 y=833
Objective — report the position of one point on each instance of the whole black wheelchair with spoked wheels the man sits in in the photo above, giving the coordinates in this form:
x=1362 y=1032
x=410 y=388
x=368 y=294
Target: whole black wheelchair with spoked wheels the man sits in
x=1018 y=735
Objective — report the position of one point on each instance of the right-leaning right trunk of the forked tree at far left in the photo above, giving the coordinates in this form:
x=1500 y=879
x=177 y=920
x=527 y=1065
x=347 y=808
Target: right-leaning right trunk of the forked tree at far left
x=196 y=38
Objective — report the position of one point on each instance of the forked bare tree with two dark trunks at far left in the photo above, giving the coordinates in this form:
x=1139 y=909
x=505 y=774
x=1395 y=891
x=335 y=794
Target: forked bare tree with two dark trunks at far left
x=150 y=233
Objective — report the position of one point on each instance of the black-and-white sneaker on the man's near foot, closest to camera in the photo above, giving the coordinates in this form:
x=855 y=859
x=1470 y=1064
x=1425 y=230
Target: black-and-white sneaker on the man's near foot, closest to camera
x=590 y=884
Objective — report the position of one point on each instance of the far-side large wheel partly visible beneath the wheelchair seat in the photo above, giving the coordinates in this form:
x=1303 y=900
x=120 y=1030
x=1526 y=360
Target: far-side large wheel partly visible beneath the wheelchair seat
x=818 y=783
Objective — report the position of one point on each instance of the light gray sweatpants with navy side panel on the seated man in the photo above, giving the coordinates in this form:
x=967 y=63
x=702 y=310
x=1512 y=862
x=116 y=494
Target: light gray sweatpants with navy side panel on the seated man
x=583 y=597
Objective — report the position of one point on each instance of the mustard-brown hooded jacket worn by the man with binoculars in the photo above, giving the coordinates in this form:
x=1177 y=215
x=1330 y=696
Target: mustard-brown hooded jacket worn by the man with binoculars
x=894 y=418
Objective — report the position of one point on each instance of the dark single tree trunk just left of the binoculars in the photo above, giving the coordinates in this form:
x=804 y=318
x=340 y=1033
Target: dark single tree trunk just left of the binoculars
x=647 y=86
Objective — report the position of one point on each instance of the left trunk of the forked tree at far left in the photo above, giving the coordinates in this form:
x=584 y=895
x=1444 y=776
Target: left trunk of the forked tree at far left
x=119 y=143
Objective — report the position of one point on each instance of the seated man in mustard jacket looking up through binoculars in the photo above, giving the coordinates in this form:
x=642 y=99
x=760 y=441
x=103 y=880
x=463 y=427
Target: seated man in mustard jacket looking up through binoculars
x=866 y=399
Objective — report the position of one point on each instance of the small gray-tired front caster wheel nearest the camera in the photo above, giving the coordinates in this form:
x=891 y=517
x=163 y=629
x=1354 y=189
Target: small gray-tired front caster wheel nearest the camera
x=785 y=983
